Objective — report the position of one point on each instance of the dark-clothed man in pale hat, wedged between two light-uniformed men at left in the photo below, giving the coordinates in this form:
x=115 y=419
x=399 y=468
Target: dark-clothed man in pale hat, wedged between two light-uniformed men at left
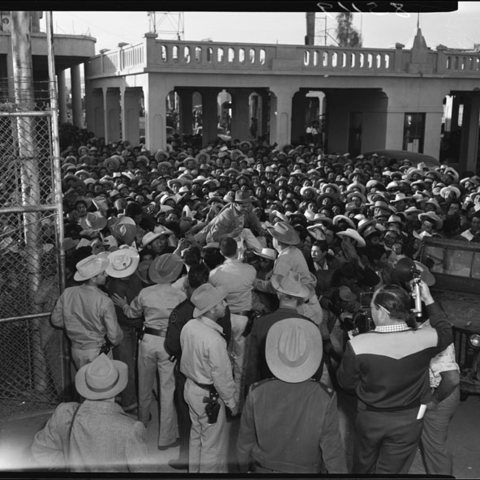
x=126 y=283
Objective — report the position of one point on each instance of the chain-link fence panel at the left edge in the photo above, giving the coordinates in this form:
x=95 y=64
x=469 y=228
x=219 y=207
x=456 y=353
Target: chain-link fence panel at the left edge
x=32 y=366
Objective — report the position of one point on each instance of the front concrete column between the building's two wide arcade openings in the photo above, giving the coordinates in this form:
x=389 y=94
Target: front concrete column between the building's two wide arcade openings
x=281 y=116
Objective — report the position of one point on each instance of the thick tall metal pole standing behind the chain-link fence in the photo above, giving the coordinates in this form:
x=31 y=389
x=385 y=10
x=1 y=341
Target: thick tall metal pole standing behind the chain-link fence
x=30 y=175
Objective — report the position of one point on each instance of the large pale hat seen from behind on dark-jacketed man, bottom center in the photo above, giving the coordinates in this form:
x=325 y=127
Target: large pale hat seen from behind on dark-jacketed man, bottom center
x=293 y=349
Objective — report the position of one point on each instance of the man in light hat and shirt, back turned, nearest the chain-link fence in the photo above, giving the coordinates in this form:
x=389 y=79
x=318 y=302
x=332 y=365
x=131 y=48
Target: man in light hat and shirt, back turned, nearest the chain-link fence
x=86 y=313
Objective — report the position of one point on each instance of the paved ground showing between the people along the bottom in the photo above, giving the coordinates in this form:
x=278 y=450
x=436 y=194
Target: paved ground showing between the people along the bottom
x=464 y=439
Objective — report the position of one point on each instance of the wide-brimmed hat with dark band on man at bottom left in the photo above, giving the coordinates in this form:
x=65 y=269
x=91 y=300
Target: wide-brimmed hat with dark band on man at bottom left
x=103 y=378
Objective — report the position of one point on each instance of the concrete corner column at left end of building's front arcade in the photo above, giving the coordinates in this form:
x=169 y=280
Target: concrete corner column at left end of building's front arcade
x=156 y=92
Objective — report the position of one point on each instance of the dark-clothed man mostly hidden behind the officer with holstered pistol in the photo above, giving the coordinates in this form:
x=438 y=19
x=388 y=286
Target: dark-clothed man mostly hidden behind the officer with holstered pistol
x=183 y=313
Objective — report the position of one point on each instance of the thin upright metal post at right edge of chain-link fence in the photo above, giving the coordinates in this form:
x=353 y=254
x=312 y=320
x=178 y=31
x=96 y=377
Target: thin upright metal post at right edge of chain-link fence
x=57 y=186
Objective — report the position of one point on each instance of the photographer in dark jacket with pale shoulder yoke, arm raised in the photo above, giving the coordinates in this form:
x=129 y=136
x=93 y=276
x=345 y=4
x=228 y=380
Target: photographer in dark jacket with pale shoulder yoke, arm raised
x=387 y=369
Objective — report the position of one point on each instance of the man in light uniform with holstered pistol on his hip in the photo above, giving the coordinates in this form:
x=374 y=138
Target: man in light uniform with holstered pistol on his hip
x=206 y=365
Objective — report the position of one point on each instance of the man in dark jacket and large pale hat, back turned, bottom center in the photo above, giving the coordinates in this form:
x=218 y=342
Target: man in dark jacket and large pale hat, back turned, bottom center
x=290 y=422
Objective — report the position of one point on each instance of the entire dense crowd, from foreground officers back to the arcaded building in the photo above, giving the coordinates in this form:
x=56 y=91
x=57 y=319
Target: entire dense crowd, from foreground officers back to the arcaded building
x=239 y=270
